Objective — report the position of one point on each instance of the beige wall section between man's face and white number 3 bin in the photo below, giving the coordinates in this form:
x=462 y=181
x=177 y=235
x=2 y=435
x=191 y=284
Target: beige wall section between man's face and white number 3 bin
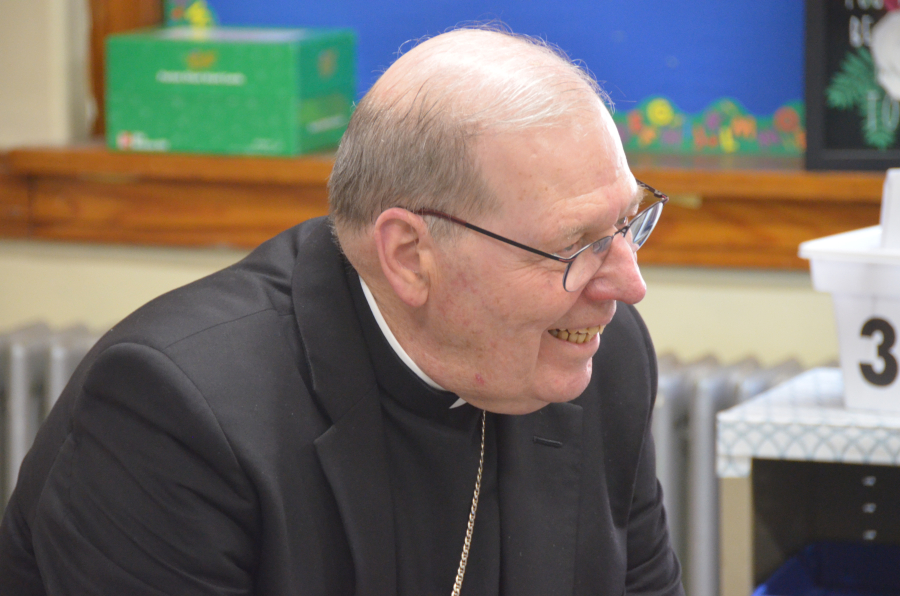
x=732 y=314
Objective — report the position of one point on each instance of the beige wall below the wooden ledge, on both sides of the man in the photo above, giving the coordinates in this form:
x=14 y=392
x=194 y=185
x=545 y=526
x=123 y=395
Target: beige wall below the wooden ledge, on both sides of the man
x=691 y=312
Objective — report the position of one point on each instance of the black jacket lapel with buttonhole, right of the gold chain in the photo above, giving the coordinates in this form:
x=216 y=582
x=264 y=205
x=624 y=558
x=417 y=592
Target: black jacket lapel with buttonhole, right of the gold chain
x=540 y=456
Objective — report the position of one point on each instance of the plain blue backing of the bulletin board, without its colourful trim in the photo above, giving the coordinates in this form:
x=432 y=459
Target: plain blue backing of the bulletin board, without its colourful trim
x=691 y=52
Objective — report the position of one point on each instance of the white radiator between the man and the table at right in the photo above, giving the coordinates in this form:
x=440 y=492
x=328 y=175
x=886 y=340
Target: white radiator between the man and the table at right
x=684 y=429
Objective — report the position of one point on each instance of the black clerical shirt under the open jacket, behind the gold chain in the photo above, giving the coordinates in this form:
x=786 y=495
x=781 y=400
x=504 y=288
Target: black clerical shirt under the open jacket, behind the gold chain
x=433 y=452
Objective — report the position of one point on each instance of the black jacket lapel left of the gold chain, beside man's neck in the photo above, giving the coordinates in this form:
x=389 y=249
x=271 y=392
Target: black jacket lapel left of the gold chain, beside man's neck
x=352 y=451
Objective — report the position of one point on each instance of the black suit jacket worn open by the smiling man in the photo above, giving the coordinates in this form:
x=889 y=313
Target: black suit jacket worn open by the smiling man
x=227 y=438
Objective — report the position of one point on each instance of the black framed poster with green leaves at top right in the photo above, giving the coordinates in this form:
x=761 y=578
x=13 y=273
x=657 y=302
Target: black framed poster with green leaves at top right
x=852 y=84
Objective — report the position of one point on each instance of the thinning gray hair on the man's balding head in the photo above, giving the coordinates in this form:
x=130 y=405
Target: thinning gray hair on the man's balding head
x=410 y=141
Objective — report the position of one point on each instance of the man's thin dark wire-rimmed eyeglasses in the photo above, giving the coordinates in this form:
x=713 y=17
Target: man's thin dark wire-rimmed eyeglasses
x=581 y=266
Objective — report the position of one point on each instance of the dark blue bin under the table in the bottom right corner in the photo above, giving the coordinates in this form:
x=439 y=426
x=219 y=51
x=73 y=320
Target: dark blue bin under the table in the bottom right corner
x=838 y=569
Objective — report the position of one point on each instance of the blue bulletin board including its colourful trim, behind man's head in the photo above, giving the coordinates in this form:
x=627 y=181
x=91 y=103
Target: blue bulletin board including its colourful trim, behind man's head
x=683 y=75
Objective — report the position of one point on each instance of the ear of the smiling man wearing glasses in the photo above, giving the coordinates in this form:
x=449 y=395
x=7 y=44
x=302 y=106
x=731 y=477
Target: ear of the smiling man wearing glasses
x=405 y=252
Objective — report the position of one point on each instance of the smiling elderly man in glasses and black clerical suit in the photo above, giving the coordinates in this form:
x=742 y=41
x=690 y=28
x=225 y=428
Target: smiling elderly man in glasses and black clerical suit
x=442 y=389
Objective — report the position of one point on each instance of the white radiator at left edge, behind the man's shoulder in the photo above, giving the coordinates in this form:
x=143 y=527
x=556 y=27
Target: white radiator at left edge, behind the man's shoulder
x=35 y=364
